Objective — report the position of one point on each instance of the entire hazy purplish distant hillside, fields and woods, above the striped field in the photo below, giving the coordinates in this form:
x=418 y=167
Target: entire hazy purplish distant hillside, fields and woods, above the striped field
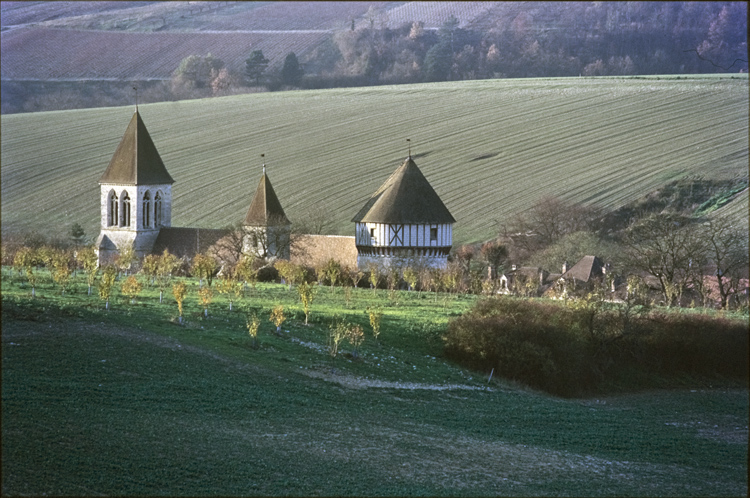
x=72 y=55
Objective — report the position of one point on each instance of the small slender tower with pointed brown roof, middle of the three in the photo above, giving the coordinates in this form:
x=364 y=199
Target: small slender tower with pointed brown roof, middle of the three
x=267 y=230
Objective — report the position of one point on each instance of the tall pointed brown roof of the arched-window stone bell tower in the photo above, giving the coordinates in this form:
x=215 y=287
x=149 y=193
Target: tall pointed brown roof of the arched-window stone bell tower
x=136 y=160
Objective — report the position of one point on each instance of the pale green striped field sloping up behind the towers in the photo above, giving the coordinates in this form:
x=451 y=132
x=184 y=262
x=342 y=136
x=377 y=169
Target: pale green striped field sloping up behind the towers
x=490 y=148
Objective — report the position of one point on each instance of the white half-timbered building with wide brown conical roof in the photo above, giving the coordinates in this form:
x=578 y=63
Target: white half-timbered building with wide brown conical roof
x=404 y=223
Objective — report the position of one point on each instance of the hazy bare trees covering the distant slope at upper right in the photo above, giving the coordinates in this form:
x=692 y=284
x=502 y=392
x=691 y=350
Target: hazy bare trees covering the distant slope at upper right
x=553 y=39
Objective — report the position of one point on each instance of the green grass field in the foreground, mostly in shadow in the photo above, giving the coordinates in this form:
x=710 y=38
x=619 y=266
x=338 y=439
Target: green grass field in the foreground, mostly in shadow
x=126 y=402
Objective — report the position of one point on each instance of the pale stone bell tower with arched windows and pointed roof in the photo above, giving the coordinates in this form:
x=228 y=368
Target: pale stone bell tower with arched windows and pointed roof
x=136 y=195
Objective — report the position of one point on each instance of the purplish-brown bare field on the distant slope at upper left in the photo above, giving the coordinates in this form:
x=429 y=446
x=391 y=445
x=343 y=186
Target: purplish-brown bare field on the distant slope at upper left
x=120 y=56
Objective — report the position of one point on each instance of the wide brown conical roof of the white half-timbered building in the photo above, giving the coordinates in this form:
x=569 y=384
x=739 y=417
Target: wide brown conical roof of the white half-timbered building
x=406 y=197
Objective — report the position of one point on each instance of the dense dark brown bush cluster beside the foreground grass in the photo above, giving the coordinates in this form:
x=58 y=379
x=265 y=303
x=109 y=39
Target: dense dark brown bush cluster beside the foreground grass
x=574 y=351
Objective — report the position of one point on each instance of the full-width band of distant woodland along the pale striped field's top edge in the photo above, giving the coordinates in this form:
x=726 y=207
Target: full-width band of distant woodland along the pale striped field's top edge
x=510 y=40
